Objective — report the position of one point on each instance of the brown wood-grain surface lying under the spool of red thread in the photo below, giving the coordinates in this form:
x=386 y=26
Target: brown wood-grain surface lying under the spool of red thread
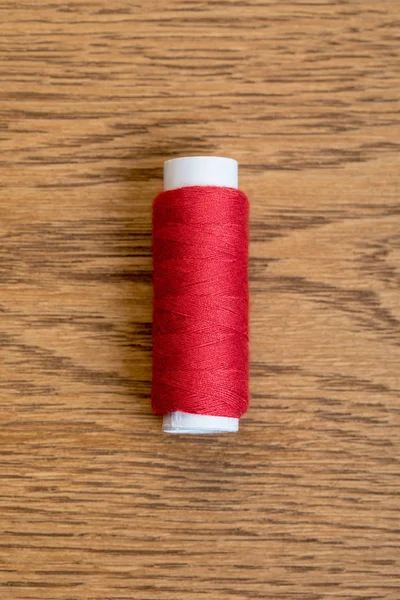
x=95 y=502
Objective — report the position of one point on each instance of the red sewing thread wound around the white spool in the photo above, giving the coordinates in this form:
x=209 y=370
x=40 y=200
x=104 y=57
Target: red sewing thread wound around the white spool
x=200 y=321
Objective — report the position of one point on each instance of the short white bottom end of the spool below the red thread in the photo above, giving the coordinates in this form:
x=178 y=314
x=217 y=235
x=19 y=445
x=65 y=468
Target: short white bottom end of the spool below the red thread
x=180 y=422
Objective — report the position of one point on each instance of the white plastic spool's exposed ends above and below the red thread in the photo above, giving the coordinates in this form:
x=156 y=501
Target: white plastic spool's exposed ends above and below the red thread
x=178 y=173
